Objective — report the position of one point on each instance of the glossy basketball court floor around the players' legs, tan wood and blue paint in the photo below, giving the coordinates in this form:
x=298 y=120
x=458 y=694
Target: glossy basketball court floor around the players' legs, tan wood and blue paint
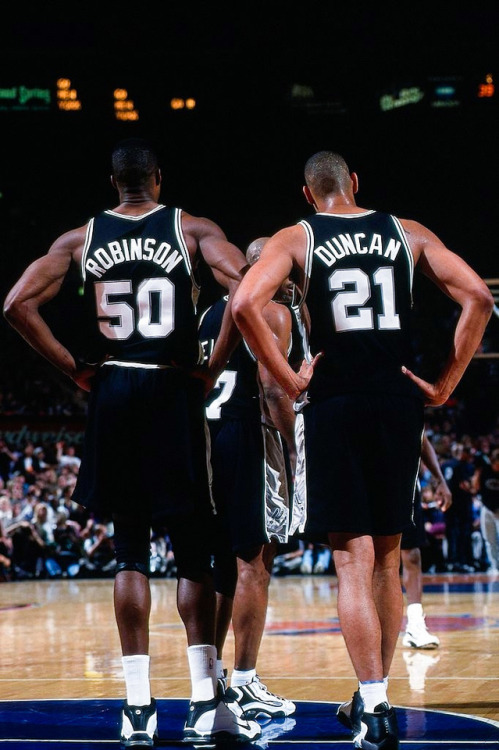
x=60 y=643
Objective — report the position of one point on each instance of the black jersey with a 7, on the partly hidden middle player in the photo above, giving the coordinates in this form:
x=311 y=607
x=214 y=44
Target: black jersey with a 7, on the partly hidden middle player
x=236 y=394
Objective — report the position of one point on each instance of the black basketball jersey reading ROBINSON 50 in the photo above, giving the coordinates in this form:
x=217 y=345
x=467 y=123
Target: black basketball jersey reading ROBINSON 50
x=139 y=288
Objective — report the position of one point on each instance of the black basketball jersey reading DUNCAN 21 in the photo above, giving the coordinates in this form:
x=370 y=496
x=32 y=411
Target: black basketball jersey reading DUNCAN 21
x=358 y=289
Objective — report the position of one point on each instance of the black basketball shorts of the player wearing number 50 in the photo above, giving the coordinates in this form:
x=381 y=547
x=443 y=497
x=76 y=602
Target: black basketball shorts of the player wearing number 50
x=145 y=447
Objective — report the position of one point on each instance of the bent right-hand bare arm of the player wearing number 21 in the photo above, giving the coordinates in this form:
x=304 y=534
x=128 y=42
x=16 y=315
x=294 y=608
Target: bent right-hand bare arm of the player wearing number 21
x=460 y=282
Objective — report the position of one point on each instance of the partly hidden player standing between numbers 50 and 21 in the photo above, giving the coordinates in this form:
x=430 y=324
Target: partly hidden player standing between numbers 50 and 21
x=249 y=418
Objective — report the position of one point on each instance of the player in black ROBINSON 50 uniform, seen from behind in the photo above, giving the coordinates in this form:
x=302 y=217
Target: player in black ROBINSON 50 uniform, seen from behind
x=145 y=435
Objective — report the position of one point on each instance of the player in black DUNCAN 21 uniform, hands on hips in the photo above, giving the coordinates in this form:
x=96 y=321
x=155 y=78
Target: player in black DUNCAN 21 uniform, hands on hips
x=361 y=404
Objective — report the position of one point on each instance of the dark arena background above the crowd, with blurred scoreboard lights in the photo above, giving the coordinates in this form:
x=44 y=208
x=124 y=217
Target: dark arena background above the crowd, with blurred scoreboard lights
x=236 y=101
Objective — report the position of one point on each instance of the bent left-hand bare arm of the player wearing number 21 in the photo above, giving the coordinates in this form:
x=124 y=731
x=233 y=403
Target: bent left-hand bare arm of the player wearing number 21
x=281 y=254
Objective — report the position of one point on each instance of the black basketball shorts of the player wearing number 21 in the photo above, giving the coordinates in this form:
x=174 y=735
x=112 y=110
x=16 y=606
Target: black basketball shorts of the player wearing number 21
x=359 y=463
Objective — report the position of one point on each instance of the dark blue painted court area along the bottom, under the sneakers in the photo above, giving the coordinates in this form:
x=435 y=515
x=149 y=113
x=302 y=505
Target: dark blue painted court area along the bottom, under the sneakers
x=85 y=724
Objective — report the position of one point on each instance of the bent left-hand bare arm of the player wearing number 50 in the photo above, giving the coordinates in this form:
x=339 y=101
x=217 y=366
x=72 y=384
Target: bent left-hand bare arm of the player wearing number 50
x=40 y=283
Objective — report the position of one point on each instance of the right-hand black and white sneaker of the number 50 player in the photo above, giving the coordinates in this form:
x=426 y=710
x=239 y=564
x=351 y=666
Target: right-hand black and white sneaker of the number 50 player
x=213 y=720
